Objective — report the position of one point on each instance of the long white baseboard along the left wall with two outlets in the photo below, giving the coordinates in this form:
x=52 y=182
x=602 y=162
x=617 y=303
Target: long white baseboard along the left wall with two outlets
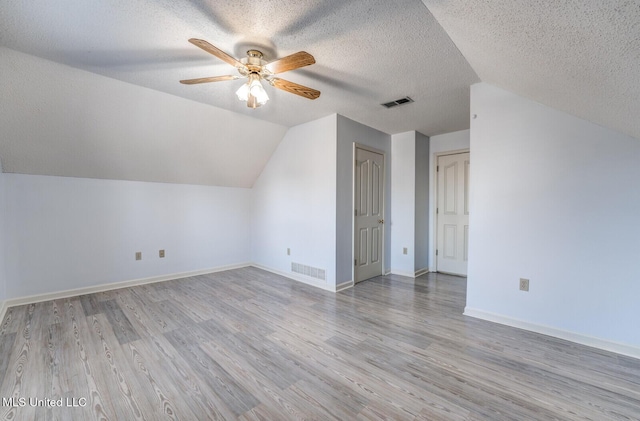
x=114 y=285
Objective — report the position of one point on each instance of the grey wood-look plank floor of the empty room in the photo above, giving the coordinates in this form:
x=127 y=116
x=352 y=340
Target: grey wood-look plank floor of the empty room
x=247 y=344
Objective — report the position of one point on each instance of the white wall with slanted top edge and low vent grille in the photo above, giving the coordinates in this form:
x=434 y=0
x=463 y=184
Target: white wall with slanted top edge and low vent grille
x=294 y=203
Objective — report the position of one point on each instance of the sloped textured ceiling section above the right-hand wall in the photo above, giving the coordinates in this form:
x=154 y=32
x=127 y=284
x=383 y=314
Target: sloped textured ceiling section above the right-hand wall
x=579 y=56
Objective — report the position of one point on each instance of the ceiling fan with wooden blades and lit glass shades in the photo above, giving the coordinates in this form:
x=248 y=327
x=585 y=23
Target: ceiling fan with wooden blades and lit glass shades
x=254 y=68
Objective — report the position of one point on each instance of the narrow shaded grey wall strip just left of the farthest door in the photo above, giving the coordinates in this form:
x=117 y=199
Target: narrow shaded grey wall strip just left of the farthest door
x=422 y=203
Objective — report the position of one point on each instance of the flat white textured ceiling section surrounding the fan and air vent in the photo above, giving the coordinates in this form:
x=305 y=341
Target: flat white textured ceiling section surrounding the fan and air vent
x=367 y=52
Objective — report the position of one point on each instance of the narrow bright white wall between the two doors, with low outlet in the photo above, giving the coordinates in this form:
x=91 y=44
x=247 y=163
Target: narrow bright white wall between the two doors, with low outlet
x=403 y=189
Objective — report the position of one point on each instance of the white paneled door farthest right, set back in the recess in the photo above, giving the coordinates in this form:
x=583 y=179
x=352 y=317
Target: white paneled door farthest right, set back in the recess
x=453 y=214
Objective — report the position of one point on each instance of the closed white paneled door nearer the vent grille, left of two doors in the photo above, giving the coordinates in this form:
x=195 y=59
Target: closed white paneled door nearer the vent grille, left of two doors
x=369 y=214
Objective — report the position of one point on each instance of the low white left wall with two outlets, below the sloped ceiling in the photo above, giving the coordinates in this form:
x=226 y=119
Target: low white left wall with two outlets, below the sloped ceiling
x=67 y=233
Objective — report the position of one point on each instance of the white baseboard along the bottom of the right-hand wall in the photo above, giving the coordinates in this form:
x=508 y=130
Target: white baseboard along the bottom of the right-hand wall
x=579 y=338
